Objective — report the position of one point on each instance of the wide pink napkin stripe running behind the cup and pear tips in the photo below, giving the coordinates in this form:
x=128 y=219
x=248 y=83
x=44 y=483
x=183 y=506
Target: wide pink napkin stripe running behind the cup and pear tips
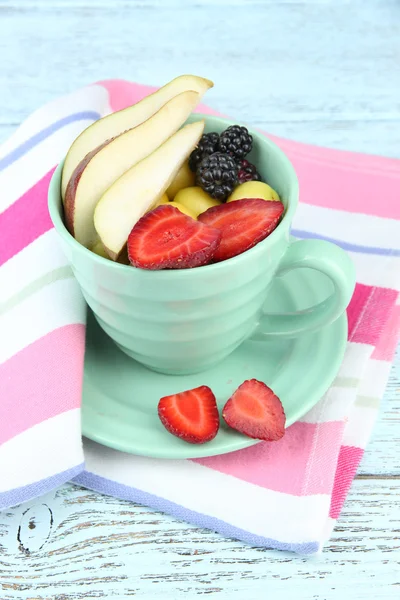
x=329 y=177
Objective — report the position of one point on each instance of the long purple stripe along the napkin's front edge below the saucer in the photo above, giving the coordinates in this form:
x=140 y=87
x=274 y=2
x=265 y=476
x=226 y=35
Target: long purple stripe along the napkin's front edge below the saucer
x=119 y=490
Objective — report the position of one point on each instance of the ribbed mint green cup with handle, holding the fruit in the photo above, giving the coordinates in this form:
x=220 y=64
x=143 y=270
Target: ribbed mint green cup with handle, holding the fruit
x=186 y=321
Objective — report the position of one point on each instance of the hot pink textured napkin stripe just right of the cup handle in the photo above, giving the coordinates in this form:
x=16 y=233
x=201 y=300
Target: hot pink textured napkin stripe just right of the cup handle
x=369 y=312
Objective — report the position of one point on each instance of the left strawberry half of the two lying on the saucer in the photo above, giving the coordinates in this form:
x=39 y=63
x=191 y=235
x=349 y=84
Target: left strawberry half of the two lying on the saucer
x=191 y=415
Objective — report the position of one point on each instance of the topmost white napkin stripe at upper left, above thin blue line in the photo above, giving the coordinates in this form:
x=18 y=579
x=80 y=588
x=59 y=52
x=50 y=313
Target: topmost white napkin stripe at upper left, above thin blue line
x=91 y=97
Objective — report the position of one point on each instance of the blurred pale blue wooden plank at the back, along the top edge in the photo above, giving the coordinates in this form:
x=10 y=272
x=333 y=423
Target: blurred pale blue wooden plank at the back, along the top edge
x=271 y=63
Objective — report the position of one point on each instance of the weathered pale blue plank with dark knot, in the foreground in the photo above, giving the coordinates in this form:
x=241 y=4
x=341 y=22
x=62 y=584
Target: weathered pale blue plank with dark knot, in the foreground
x=90 y=546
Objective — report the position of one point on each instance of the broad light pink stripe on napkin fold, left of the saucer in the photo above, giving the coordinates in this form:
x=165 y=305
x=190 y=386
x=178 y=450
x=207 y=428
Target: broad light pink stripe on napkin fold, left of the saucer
x=42 y=380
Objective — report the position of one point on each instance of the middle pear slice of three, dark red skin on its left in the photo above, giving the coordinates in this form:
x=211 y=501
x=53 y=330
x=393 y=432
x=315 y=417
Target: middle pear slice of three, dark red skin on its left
x=103 y=166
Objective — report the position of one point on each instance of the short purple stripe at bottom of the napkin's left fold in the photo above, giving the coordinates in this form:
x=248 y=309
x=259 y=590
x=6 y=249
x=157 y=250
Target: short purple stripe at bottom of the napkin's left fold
x=34 y=490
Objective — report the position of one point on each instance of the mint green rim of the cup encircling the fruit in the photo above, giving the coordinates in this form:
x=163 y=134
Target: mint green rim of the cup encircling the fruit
x=55 y=211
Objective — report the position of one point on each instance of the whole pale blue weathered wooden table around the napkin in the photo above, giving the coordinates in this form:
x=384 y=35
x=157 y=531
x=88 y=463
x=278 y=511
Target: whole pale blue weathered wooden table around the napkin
x=320 y=71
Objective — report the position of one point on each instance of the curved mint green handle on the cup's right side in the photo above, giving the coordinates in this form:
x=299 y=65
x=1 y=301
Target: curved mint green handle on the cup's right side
x=328 y=259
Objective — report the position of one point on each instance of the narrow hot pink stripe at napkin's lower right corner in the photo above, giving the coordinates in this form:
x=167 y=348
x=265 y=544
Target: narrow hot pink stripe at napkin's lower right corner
x=347 y=465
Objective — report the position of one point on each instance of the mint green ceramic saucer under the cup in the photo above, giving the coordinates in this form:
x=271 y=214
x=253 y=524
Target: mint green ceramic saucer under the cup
x=120 y=396
